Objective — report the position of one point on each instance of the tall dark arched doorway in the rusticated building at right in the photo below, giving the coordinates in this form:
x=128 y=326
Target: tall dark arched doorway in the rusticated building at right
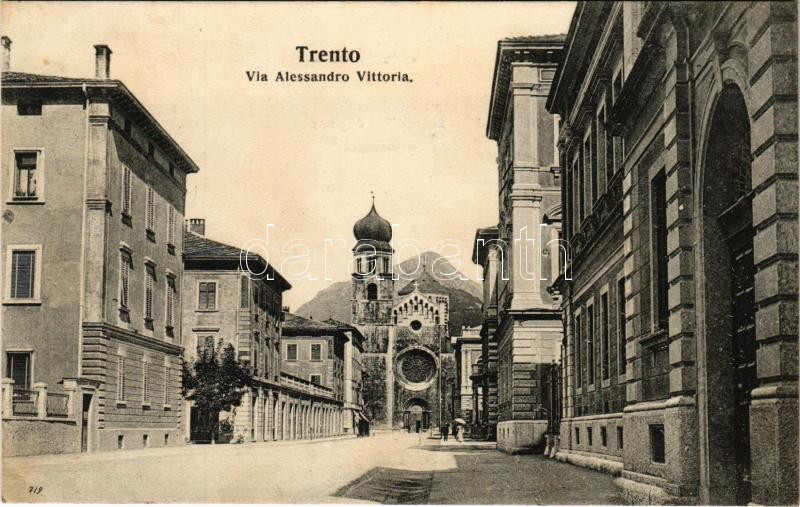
x=726 y=314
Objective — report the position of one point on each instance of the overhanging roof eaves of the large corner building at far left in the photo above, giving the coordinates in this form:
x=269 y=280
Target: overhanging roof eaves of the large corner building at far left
x=117 y=91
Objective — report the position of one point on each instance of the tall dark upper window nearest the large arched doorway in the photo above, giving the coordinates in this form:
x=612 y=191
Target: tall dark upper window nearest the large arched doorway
x=658 y=200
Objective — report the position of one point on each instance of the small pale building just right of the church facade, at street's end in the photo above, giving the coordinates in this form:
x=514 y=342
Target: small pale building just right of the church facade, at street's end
x=467 y=392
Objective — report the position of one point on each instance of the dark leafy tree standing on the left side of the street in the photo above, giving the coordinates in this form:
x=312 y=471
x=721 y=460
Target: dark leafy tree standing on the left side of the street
x=215 y=382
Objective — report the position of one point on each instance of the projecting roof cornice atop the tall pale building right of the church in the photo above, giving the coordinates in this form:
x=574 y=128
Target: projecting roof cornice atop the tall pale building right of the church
x=535 y=49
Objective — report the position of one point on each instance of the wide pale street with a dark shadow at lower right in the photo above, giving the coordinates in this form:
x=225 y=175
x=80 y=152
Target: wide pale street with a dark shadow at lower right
x=390 y=468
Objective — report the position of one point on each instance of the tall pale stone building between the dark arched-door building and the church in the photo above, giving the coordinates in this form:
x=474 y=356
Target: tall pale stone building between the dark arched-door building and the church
x=528 y=328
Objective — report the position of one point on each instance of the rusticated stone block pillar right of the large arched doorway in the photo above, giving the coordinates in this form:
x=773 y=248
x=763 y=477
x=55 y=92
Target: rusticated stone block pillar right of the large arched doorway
x=774 y=405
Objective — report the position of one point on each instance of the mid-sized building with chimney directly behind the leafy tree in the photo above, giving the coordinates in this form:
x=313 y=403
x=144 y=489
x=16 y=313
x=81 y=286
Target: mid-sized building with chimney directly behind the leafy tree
x=222 y=302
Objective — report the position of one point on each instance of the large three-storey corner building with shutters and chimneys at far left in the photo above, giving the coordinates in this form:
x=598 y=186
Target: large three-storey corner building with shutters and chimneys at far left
x=91 y=241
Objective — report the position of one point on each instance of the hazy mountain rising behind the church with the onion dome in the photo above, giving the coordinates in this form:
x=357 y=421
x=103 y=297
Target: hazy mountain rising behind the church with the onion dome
x=465 y=295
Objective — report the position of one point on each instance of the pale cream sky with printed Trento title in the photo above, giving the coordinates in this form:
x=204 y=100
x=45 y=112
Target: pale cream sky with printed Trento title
x=306 y=157
